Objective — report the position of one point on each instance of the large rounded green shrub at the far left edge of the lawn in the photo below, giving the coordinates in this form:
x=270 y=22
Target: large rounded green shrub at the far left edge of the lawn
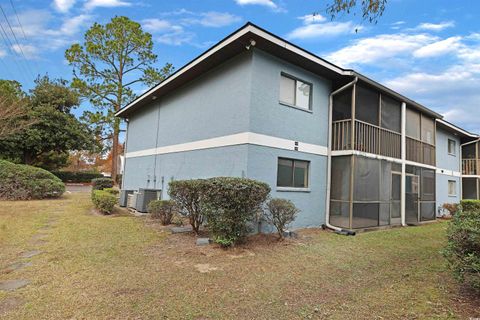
x=23 y=182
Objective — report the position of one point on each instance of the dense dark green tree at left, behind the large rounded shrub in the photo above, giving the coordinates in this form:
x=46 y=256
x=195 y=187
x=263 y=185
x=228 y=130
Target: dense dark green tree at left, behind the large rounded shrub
x=56 y=131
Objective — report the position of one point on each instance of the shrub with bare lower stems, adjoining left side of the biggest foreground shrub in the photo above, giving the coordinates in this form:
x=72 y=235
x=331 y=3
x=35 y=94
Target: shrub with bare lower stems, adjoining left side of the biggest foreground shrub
x=187 y=195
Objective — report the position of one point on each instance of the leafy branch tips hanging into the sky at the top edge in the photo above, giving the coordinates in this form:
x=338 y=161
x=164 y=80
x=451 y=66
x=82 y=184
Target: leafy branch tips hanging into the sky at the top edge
x=371 y=10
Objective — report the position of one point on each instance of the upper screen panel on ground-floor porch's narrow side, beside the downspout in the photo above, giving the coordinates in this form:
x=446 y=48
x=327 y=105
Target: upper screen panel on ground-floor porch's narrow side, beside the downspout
x=340 y=182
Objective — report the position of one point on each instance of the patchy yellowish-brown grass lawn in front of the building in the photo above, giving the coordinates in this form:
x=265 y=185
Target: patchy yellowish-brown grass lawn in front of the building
x=120 y=266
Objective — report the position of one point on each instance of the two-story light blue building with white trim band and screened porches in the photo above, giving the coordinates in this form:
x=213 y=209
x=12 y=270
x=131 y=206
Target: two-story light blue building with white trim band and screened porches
x=346 y=150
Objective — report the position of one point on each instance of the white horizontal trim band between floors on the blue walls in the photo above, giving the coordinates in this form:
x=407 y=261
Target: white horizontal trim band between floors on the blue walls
x=233 y=140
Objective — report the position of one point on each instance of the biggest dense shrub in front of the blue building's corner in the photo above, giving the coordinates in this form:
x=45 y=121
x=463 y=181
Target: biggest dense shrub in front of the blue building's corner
x=230 y=204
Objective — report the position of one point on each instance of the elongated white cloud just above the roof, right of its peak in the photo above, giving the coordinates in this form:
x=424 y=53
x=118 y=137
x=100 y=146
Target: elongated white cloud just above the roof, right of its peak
x=371 y=50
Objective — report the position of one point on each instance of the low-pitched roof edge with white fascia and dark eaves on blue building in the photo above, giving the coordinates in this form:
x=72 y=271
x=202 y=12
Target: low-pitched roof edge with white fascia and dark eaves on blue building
x=237 y=42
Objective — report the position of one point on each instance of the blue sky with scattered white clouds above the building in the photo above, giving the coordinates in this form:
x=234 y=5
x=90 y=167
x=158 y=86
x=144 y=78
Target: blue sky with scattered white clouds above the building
x=428 y=50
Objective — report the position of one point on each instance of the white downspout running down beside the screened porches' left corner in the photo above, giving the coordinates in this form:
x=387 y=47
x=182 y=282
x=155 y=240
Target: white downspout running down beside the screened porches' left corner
x=329 y=160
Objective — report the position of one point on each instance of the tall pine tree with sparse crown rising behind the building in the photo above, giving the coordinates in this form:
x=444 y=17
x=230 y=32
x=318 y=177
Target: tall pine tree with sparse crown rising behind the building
x=113 y=58
